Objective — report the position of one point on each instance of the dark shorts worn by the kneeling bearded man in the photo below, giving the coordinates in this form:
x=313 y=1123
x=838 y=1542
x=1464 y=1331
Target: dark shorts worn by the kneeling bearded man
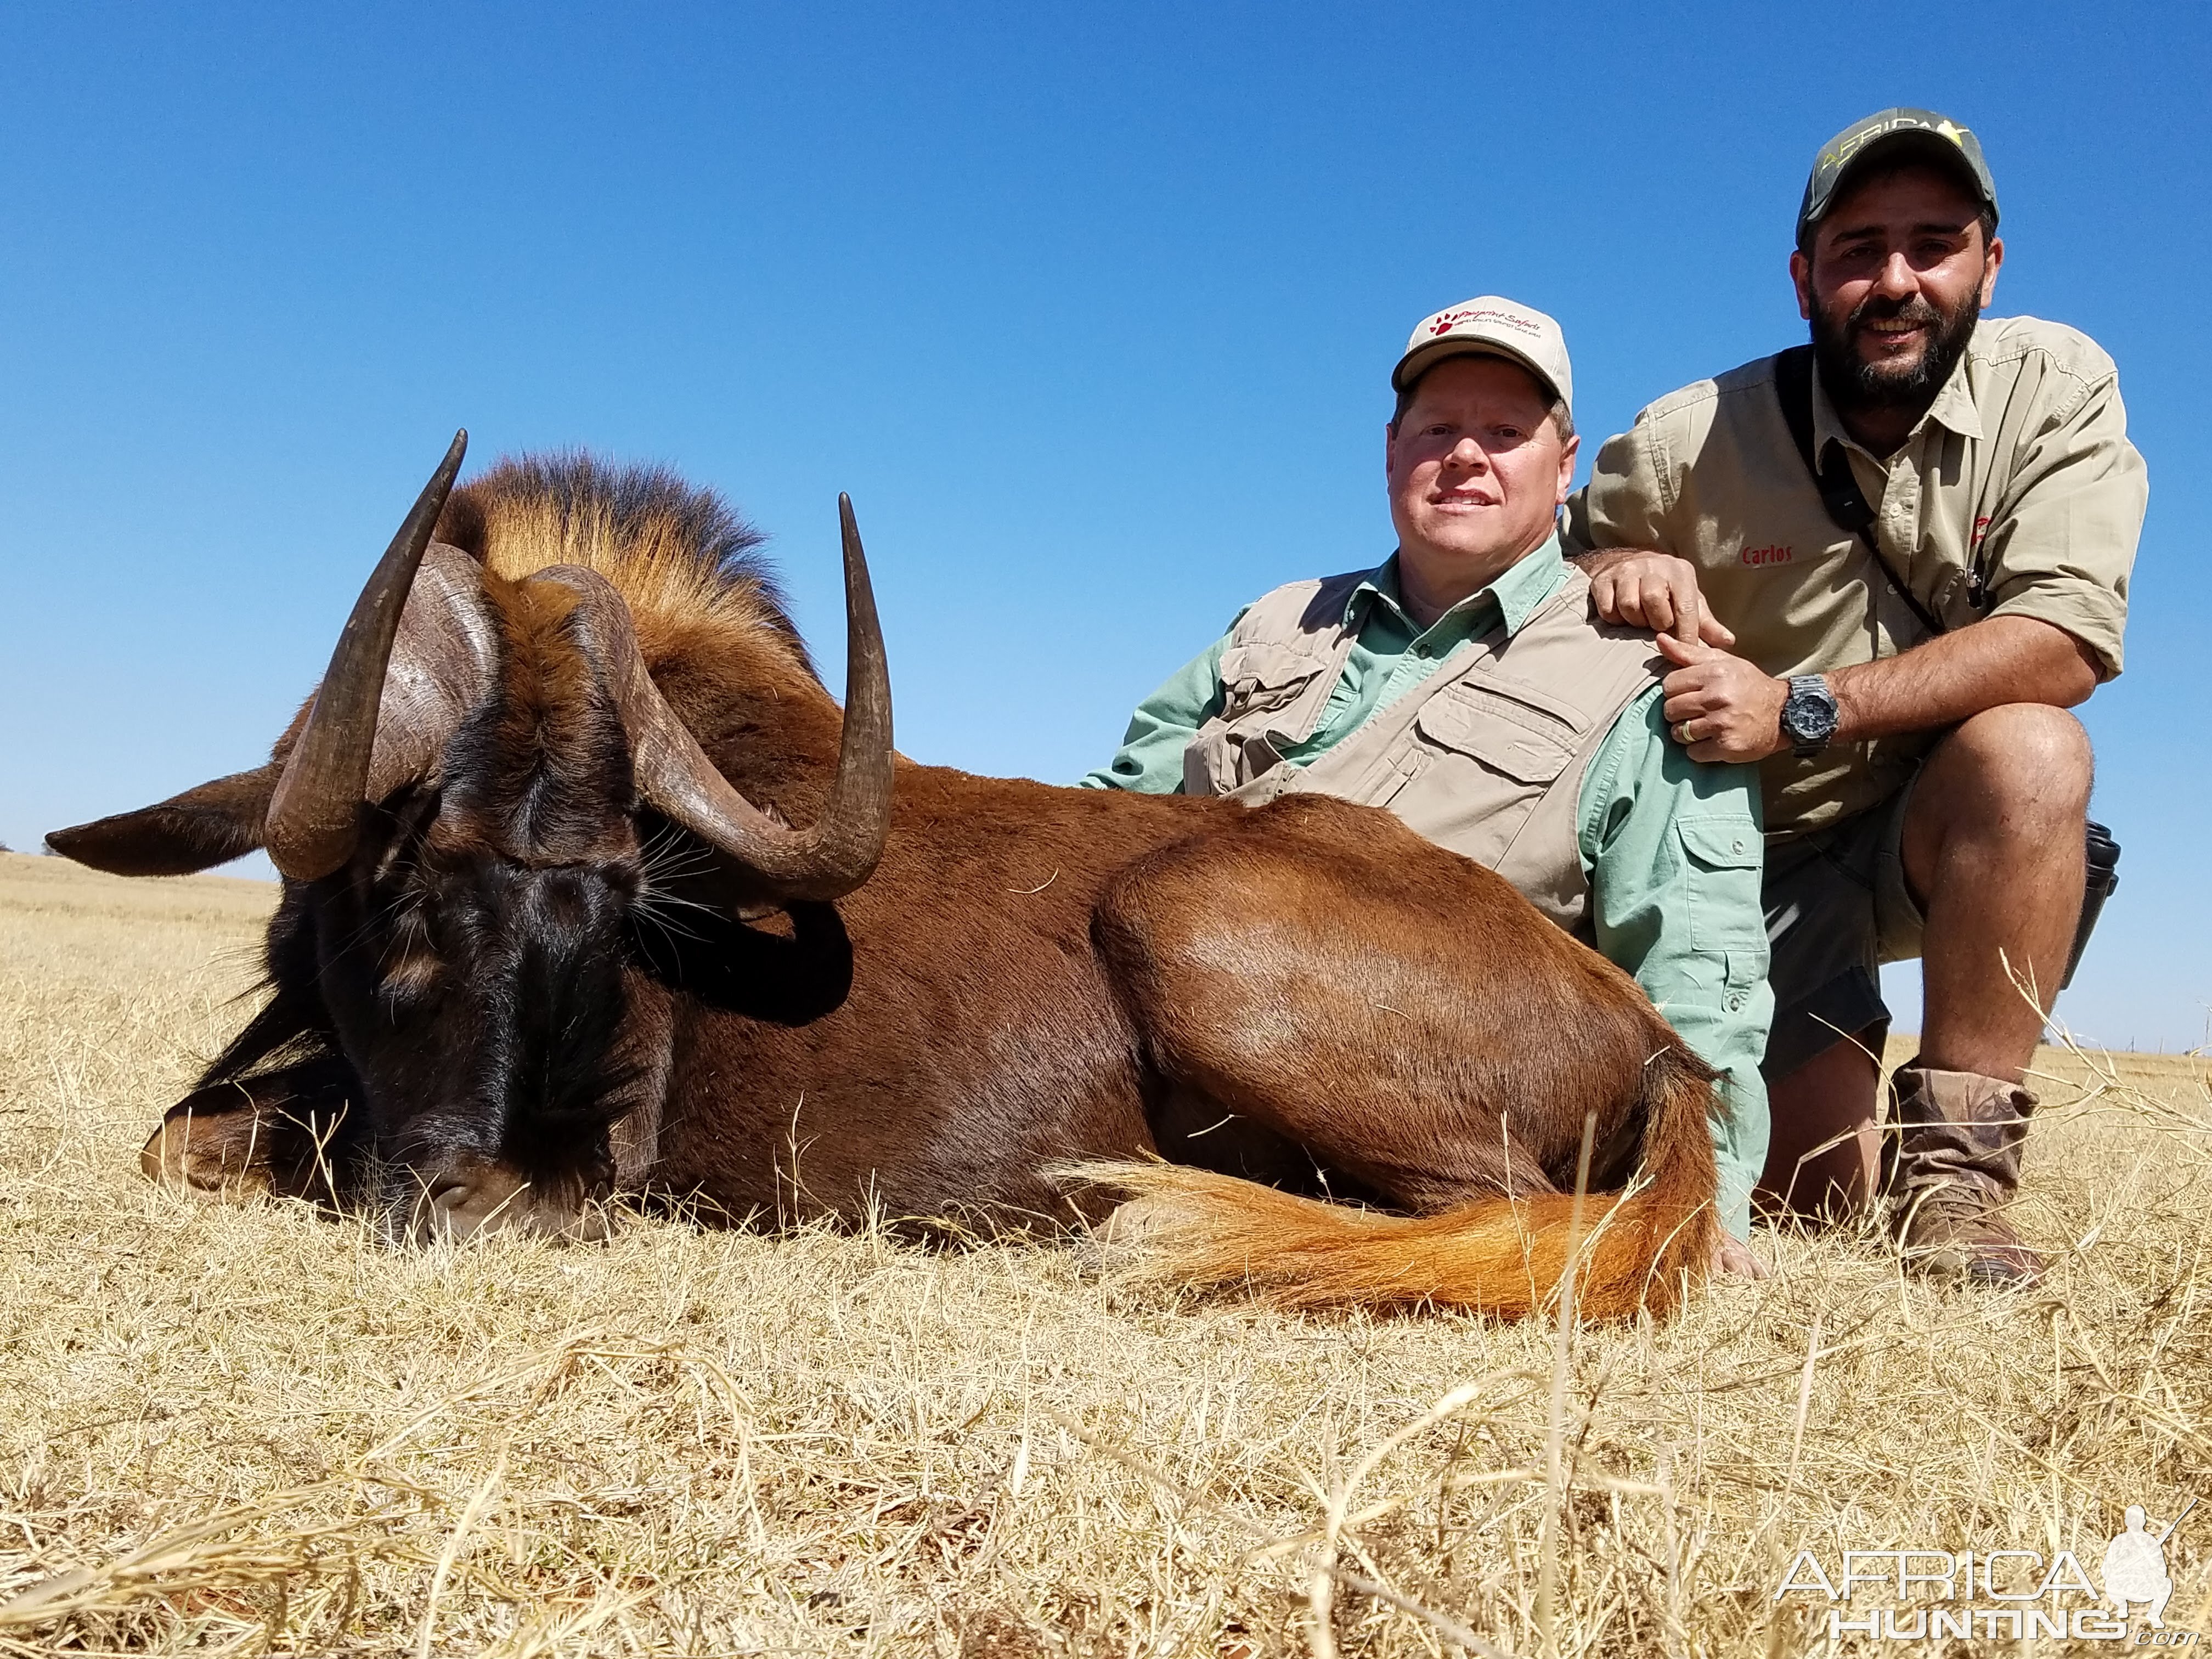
x=1837 y=910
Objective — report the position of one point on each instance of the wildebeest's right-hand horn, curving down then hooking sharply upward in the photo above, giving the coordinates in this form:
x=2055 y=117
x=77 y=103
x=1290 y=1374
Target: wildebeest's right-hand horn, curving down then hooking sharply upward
x=678 y=778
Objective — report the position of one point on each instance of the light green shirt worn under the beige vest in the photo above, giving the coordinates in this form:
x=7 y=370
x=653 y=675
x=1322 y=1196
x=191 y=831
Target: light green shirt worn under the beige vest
x=1689 y=932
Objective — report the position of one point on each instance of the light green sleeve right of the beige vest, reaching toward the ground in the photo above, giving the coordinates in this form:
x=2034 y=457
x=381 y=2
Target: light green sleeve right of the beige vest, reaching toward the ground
x=1676 y=857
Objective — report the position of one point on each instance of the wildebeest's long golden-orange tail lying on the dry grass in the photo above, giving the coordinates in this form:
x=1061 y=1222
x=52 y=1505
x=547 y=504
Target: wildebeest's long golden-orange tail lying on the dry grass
x=1499 y=1255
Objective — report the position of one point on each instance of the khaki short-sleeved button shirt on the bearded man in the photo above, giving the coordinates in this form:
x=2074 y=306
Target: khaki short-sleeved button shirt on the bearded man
x=2021 y=468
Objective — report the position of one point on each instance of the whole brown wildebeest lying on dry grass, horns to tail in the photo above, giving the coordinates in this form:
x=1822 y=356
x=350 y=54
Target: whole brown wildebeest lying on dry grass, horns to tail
x=550 y=935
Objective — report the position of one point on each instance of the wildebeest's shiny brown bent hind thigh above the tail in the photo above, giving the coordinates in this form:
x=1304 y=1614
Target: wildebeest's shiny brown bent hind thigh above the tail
x=1344 y=983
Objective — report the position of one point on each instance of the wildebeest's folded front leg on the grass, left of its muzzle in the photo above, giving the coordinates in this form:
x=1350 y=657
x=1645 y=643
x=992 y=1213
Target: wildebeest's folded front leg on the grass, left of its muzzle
x=267 y=1136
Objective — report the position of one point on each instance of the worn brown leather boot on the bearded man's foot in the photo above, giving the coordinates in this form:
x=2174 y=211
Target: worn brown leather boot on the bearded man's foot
x=1950 y=1171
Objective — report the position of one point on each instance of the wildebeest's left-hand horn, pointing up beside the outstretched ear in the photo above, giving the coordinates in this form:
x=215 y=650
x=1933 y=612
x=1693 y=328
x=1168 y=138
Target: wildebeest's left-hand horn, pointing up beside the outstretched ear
x=315 y=815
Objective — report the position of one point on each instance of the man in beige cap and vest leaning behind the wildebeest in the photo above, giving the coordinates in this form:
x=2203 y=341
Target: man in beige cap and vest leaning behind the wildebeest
x=1468 y=687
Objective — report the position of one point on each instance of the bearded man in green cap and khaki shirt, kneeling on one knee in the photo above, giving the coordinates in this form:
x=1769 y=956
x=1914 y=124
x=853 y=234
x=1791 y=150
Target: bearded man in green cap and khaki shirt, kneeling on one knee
x=1892 y=563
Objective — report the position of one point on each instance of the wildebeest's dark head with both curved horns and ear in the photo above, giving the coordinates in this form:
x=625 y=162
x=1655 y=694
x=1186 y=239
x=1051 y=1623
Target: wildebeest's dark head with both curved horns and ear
x=463 y=820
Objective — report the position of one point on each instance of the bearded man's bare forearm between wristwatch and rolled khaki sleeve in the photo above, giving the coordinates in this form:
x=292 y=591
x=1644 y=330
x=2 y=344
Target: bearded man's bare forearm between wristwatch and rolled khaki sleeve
x=1950 y=678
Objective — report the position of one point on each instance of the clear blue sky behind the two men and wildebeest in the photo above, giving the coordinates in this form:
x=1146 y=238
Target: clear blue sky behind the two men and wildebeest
x=1089 y=309
